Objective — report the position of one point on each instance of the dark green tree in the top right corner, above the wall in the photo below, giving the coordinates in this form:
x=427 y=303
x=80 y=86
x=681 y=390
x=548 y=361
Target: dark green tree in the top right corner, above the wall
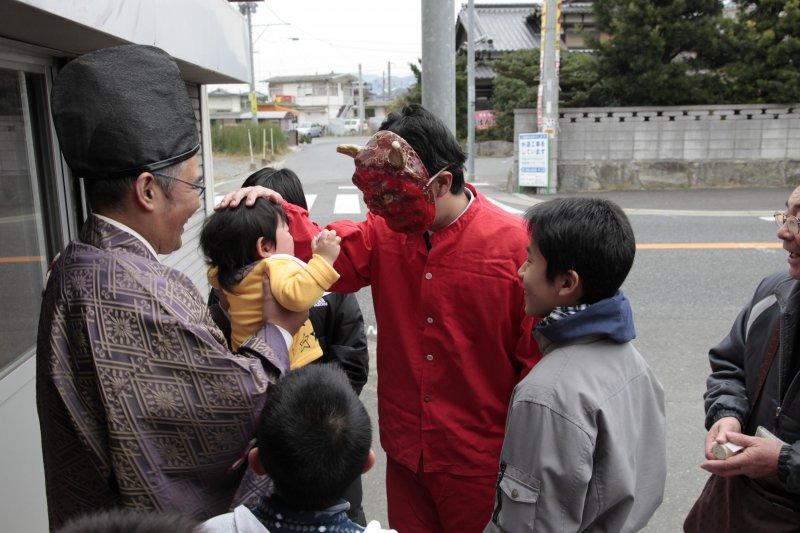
x=764 y=52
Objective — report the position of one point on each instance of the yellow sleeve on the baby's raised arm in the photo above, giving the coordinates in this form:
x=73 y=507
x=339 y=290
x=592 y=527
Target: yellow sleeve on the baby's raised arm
x=297 y=288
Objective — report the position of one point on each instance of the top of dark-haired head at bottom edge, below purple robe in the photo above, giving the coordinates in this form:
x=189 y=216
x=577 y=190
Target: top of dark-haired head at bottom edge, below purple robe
x=128 y=521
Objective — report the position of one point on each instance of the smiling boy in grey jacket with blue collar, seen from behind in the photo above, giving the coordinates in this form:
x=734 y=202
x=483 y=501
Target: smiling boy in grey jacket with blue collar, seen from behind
x=585 y=445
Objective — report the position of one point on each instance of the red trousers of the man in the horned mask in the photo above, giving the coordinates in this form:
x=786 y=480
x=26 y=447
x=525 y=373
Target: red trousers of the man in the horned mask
x=432 y=502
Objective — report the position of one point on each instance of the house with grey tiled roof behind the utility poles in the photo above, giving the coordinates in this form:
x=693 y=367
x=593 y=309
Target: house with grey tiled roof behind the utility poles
x=503 y=28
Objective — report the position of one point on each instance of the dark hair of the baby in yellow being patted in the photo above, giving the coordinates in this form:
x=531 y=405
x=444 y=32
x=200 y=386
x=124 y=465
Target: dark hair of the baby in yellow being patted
x=229 y=237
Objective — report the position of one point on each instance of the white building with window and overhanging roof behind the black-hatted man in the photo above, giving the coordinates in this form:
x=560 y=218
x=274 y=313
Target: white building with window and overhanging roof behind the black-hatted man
x=42 y=206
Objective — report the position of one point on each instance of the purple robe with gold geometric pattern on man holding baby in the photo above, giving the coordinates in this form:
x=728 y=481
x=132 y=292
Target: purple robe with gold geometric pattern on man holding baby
x=141 y=404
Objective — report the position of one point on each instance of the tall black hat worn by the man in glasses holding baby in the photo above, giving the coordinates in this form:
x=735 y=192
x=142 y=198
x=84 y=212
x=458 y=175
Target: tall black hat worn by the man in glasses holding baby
x=121 y=111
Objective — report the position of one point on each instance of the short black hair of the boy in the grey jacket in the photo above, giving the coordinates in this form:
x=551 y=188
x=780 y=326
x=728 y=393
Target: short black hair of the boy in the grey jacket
x=591 y=236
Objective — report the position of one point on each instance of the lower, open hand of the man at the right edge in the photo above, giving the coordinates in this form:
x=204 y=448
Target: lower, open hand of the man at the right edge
x=758 y=459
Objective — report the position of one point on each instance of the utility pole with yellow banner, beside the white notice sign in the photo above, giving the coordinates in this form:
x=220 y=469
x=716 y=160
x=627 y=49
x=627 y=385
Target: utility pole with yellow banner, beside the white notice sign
x=547 y=101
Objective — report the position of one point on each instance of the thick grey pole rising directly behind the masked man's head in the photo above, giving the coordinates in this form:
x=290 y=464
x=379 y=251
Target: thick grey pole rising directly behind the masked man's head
x=439 y=60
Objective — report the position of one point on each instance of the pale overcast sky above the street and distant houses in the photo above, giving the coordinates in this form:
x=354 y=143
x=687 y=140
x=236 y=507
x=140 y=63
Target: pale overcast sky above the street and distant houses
x=320 y=36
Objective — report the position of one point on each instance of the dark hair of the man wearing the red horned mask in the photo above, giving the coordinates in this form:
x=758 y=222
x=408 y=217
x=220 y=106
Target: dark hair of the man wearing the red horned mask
x=430 y=138
